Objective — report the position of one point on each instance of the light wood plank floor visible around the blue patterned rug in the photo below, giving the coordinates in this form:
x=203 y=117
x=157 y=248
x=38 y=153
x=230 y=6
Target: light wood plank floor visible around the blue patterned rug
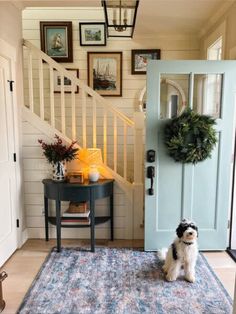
x=24 y=264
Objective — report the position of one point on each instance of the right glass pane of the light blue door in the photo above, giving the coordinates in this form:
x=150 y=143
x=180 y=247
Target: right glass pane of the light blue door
x=207 y=94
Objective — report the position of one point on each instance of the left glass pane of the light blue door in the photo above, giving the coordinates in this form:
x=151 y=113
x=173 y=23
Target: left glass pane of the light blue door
x=174 y=94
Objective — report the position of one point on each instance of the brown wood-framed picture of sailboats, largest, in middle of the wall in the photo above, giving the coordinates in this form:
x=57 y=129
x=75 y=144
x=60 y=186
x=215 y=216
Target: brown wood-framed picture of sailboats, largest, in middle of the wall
x=105 y=72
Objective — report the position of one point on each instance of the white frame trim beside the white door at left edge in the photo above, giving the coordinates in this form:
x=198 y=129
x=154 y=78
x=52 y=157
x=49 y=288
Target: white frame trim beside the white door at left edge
x=9 y=52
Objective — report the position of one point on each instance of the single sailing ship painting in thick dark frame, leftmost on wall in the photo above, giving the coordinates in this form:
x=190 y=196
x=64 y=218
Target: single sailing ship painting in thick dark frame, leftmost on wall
x=56 y=40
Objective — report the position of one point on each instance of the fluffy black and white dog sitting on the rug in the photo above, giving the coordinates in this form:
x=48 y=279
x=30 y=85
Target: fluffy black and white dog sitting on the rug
x=182 y=252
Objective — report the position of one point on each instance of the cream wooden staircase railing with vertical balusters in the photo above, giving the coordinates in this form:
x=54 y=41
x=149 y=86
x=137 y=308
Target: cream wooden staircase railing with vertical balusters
x=86 y=117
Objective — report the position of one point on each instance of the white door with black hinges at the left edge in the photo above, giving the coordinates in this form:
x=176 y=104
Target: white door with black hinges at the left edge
x=8 y=235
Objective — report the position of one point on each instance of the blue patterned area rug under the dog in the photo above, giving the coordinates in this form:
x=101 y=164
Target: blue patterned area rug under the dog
x=120 y=281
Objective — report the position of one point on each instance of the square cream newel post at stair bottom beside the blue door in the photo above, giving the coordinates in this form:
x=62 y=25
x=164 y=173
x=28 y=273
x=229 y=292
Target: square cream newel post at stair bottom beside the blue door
x=138 y=189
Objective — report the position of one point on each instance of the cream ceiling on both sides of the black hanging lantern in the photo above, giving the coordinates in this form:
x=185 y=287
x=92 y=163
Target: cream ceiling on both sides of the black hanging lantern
x=159 y=17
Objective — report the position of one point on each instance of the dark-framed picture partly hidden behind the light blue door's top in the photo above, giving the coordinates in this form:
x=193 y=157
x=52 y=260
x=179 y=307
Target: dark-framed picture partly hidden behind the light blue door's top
x=140 y=58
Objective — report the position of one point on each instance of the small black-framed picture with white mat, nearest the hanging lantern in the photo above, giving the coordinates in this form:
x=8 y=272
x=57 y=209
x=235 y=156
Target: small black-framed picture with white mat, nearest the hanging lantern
x=92 y=34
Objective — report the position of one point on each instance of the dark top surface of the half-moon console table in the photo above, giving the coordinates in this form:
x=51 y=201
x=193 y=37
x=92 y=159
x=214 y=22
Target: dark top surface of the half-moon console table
x=86 y=183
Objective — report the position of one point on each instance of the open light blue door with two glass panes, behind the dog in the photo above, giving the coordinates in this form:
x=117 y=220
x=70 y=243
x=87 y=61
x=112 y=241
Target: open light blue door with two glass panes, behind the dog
x=198 y=192
